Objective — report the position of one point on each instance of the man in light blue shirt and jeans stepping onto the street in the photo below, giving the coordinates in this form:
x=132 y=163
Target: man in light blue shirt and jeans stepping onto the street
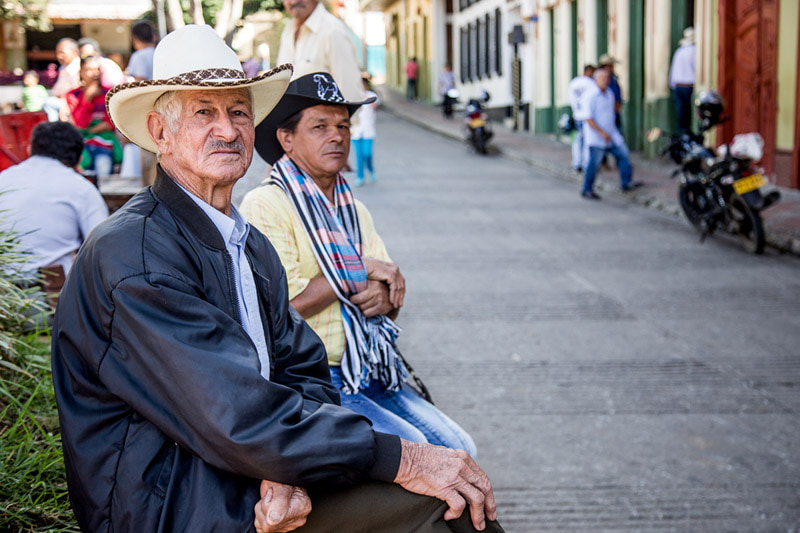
x=602 y=136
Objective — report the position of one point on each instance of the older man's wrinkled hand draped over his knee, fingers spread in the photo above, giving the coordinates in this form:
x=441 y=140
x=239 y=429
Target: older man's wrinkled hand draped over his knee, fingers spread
x=449 y=475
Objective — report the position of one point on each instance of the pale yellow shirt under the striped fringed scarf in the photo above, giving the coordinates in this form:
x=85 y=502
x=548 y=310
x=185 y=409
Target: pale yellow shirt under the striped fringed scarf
x=270 y=210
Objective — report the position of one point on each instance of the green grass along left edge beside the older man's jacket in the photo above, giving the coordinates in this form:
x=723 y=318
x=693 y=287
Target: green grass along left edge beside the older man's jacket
x=33 y=495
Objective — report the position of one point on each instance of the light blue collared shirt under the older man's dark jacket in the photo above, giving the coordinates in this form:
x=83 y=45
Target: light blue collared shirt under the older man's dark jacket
x=234 y=231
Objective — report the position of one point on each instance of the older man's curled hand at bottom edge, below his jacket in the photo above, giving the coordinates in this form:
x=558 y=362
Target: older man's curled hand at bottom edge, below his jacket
x=281 y=507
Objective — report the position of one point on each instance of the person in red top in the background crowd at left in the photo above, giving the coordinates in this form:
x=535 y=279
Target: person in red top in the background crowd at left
x=87 y=106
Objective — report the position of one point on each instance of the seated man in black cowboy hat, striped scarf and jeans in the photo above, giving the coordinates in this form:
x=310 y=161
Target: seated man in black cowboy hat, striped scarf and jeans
x=340 y=276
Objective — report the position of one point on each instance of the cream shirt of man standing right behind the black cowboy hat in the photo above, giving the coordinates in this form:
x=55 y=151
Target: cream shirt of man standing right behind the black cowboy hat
x=323 y=45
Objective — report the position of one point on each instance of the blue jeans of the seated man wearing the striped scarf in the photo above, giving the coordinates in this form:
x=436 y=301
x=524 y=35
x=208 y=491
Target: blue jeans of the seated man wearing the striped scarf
x=404 y=413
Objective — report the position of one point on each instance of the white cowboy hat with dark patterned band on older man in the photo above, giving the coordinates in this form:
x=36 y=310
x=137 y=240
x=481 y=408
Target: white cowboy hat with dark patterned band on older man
x=191 y=58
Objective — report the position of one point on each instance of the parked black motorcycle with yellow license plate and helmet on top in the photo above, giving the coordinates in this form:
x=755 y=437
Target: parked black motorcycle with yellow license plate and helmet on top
x=720 y=190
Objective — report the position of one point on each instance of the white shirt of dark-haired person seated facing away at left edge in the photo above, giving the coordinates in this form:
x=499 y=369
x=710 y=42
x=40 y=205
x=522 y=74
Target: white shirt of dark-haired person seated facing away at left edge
x=51 y=207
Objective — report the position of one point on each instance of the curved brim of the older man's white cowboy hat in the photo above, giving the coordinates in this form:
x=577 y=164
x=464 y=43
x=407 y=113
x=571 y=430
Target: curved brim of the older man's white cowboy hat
x=129 y=103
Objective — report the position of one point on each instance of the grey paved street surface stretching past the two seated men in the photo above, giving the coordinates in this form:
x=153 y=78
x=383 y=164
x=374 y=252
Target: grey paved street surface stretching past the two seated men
x=616 y=374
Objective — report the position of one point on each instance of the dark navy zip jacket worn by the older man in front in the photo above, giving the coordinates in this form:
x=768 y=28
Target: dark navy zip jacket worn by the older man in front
x=166 y=422
